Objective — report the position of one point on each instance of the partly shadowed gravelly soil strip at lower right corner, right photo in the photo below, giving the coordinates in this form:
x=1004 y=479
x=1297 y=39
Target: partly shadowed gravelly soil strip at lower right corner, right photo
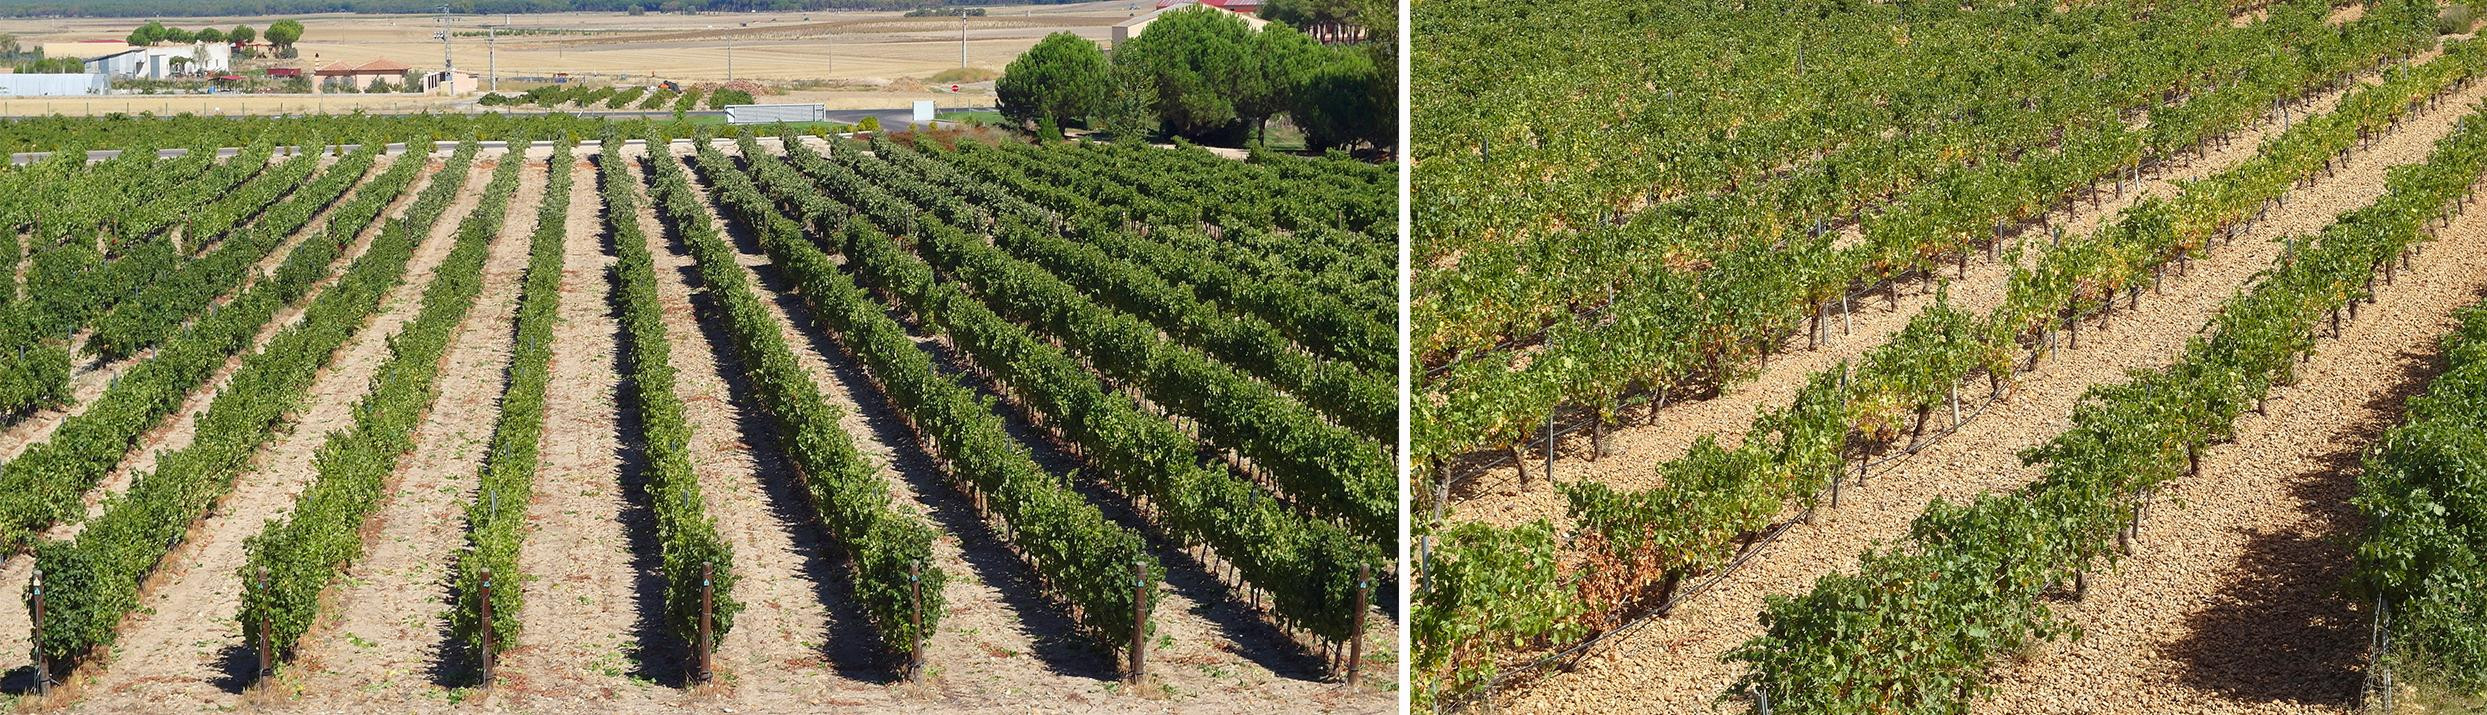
x=2235 y=599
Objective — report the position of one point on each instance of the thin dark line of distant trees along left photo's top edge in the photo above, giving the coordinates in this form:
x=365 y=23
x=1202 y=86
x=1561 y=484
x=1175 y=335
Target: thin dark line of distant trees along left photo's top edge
x=223 y=9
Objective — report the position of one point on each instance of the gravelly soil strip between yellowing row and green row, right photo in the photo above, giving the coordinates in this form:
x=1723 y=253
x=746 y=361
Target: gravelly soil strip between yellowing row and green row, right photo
x=1675 y=664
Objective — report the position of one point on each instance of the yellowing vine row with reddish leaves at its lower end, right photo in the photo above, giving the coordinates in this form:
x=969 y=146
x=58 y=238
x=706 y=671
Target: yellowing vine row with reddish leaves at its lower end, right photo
x=1635 y=549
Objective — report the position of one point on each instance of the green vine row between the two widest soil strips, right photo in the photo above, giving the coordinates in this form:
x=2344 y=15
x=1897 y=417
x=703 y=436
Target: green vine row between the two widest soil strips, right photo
x=1921 y=622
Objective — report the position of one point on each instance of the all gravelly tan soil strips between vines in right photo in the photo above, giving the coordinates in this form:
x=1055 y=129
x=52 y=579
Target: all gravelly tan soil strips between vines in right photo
x=2232 y=609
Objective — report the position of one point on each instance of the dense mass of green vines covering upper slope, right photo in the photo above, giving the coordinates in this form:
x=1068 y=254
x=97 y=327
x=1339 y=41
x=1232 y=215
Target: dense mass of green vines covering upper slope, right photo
x=1635 y=290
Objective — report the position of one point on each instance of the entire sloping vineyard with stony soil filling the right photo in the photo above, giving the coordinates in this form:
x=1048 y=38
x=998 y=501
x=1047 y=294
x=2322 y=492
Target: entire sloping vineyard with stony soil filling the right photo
x=2083 y=397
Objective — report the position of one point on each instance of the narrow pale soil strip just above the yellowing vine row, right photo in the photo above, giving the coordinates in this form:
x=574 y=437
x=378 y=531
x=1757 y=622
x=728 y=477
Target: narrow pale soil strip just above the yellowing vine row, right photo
x=1633 y=450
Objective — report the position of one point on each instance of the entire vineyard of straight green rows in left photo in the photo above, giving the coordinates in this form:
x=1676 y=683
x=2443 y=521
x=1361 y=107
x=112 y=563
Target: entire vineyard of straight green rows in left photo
x=752 y=425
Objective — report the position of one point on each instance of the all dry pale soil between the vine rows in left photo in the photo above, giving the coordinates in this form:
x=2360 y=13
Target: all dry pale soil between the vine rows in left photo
x=593 y=617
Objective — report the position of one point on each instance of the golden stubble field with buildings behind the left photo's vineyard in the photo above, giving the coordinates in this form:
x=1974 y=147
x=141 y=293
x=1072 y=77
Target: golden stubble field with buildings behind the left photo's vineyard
x=847 y=59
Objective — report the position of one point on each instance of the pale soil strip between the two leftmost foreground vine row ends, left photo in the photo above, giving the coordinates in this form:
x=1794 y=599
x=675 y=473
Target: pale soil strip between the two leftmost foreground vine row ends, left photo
x=185 y=642
